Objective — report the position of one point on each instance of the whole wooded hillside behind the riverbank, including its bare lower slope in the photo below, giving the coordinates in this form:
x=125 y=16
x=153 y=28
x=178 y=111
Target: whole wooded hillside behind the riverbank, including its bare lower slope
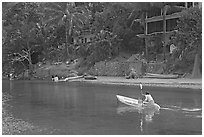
x=40 y=41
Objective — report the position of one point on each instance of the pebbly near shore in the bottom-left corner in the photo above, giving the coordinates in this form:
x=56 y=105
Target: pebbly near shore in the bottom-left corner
x=13 y=126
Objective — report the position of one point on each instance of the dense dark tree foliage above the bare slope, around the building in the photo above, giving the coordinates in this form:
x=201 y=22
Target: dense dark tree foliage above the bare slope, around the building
x=36 y=32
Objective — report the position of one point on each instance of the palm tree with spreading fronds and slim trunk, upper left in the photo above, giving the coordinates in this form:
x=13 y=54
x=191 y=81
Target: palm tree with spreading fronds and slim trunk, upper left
x=68 y=14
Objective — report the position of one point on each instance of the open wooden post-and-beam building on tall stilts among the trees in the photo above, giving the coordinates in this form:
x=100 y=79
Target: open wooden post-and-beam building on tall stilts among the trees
x=163 y=23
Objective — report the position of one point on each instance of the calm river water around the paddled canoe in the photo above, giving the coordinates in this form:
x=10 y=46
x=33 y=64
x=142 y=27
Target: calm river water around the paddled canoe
x=70 y=108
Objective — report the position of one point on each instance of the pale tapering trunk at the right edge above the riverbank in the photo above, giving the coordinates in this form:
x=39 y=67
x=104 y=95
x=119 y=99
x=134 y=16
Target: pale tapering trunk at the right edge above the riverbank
x=196 y=68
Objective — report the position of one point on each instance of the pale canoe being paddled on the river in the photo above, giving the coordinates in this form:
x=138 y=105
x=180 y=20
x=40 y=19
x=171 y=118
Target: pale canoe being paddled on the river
x=135 y=102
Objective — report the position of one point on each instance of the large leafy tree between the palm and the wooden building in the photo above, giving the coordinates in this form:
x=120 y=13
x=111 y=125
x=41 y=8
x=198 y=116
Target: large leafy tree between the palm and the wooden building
x=108 y=27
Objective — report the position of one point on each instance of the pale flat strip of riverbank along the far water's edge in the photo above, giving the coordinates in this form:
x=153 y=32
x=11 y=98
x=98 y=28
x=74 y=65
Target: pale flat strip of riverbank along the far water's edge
x=177 y=83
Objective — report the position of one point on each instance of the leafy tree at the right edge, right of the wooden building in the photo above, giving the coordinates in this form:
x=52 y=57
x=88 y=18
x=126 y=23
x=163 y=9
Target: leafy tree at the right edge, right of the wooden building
x=189 y=37
